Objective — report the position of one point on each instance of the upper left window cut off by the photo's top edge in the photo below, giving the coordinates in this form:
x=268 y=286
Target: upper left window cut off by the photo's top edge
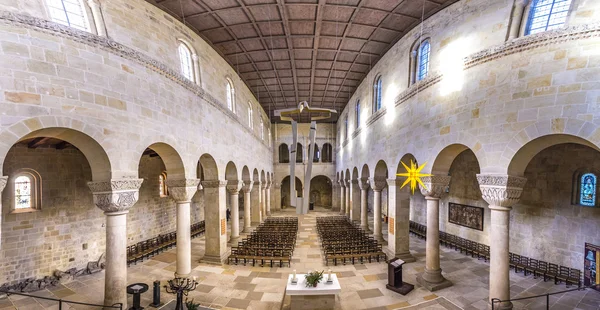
x=69 y=13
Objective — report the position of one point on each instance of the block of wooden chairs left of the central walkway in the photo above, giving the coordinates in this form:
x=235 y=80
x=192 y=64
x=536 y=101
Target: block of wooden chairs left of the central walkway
x=272 y=242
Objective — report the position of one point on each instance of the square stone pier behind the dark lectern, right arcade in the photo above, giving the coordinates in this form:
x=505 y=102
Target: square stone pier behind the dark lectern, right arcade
x=398 y=221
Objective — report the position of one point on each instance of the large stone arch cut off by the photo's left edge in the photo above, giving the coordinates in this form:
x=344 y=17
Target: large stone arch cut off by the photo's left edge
x=85 y=138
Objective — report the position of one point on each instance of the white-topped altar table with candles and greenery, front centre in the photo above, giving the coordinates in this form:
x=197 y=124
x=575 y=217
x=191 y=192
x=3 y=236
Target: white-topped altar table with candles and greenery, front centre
x=320 y=297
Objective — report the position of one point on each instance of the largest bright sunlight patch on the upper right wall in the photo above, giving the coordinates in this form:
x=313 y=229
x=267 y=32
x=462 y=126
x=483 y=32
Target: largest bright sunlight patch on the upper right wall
x=452 y=65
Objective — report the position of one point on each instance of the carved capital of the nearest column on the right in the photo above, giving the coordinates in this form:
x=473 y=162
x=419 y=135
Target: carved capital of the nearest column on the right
x=501 y=190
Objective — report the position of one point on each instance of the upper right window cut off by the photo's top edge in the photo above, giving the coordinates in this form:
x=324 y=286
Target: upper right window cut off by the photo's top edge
x=546 y=15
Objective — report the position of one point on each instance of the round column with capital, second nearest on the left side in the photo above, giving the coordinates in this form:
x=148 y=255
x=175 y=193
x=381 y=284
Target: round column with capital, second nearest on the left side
x=182 y=192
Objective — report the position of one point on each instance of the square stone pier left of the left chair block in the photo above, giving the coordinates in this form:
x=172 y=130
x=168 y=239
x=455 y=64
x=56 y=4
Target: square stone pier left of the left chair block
x=216 y=222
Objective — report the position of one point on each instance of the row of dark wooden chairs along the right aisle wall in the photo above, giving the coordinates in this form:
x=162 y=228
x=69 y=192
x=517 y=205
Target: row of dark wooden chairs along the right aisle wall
x=538 y=268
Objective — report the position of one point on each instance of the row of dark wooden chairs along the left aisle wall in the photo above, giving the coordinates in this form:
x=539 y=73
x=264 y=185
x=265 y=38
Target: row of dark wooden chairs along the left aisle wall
x=153 y=246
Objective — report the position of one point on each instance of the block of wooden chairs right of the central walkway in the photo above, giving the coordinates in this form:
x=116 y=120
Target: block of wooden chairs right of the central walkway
x=344 y=241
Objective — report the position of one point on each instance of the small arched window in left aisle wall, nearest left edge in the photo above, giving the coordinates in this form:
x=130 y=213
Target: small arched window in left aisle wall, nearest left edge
x=27 y=190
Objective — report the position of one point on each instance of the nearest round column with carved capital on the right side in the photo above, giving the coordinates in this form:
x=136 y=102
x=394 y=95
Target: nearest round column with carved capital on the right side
x=501 y=192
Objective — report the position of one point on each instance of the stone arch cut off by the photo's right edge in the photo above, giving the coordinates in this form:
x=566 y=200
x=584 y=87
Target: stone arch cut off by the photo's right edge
x=523 y=156
